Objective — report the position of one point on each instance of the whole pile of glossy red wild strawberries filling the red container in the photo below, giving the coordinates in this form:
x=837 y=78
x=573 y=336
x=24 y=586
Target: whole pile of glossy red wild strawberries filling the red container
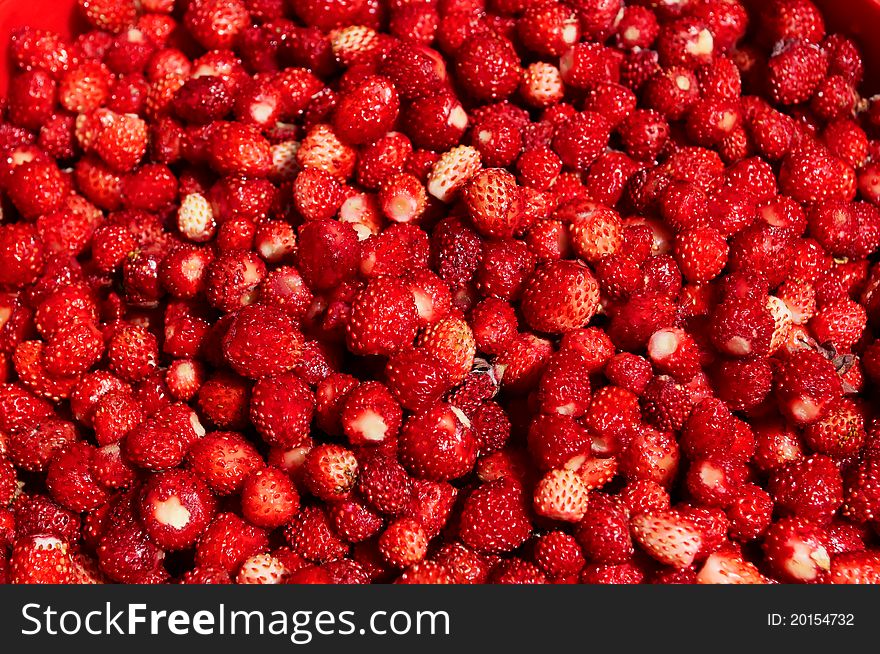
x=439 y=291
